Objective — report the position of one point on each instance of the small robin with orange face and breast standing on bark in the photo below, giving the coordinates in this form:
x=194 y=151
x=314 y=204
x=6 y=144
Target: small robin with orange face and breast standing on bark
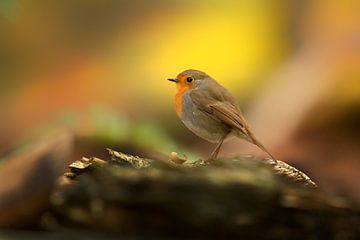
x=210 y=111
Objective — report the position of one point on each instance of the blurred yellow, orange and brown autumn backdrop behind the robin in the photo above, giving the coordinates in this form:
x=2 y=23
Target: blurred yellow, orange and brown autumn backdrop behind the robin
x=100 y=67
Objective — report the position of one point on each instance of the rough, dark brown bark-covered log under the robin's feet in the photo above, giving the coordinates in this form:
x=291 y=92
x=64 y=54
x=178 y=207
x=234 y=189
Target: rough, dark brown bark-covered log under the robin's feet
x=241 y=197
